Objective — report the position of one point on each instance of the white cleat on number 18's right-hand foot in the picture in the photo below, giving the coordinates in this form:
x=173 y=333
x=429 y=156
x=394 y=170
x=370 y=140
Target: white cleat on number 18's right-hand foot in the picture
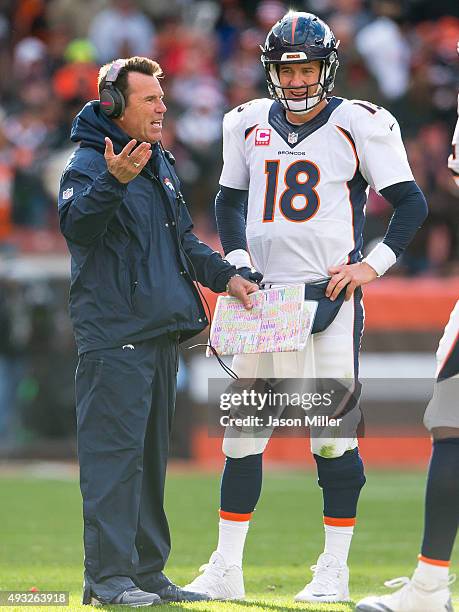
x=330 y=582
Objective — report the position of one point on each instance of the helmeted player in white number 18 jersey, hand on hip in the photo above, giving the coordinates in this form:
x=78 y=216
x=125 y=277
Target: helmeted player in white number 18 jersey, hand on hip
x=291 y=204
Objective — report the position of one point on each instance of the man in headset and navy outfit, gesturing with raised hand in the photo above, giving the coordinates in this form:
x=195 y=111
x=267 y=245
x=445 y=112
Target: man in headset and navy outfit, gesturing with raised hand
x=134 y=260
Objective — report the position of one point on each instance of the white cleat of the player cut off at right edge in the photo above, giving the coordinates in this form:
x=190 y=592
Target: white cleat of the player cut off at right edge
x=414 y=596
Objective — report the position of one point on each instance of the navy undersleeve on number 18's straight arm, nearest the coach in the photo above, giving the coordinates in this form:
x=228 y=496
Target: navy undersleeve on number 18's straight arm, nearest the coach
x=230 y=212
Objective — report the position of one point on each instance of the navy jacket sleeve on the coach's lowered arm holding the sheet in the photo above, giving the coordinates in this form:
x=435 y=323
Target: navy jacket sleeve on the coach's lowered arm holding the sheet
x=211 y=270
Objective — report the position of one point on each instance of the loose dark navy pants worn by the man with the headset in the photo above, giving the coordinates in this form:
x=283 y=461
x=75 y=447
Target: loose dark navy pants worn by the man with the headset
x=125 y=403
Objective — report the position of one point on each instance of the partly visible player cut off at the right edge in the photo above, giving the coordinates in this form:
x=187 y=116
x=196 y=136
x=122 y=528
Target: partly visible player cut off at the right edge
x=428 y=589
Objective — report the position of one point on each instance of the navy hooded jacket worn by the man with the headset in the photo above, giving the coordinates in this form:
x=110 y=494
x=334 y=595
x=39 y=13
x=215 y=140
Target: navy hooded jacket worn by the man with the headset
x=134 y=256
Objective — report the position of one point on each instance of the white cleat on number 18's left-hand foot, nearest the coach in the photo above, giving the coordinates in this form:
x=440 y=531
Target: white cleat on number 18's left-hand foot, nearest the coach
x=219 y=581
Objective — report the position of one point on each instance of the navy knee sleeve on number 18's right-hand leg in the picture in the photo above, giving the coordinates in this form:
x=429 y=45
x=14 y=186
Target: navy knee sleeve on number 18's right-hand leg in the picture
x=344 y=472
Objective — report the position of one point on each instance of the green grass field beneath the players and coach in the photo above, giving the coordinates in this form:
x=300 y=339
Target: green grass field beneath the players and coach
x=40 y=545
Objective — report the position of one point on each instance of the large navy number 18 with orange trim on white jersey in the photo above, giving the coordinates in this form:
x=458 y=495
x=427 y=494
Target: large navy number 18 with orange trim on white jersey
x=299 y=201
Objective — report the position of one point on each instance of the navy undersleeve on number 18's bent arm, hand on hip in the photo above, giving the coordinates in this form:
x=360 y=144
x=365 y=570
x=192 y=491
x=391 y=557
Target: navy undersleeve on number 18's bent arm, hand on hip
x=410 y=211
